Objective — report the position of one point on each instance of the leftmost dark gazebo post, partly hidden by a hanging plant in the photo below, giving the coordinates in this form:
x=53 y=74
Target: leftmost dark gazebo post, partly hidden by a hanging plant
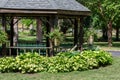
x=4 y=29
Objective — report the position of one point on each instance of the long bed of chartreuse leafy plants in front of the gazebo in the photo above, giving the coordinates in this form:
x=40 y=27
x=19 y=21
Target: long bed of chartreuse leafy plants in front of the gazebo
x=62 y=62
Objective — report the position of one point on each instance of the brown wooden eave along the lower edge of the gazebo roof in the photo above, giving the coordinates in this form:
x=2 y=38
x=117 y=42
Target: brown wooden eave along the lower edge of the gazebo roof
x=44 y=12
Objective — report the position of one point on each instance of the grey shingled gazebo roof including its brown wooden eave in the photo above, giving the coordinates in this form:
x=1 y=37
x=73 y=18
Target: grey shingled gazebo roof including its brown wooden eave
x=67 y=7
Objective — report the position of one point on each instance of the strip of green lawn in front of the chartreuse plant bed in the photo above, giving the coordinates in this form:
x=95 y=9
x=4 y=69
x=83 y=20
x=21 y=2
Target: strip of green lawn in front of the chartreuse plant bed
x=111 y=72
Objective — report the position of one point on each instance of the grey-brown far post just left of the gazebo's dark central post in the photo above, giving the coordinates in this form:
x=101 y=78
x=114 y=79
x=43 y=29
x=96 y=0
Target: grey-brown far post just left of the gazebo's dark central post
x=39 y=30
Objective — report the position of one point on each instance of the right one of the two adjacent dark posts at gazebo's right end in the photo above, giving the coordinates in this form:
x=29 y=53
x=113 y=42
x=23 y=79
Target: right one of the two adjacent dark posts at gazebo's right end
x=81 y=33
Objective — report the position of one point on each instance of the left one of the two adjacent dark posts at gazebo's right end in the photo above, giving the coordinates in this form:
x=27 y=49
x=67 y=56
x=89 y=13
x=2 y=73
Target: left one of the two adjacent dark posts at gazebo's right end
x=76 y=32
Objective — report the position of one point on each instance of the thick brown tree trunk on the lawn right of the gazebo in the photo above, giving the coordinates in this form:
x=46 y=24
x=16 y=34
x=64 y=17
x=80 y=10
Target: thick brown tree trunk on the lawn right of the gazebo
x=109 y=33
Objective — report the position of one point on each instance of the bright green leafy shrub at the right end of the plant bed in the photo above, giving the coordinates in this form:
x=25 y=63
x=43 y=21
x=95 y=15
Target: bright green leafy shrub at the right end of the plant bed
x=97 y=58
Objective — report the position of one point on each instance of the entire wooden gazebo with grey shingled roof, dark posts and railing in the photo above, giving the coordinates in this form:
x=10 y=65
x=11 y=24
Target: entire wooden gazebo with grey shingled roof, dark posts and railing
x=46 y=12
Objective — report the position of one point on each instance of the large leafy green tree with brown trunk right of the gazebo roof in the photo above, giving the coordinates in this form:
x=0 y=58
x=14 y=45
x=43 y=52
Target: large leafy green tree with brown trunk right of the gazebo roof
x=107 y=10
